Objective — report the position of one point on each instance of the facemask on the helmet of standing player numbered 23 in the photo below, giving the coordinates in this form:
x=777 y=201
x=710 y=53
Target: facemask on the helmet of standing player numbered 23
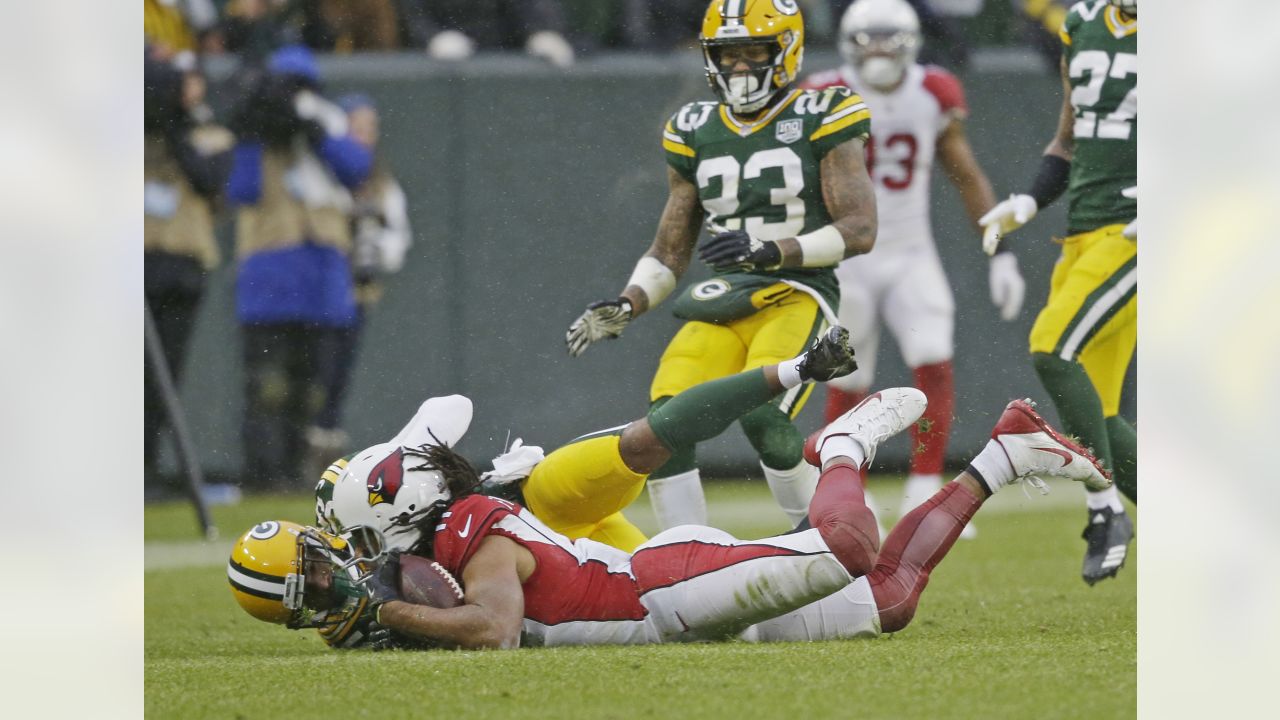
x=748 y=72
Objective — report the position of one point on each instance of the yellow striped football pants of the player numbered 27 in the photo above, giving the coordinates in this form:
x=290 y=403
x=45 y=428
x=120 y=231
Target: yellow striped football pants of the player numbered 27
x=1092 y=311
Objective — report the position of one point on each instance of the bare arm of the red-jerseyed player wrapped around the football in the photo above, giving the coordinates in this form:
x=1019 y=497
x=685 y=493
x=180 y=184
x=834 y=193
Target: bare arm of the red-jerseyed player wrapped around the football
x=495 y=605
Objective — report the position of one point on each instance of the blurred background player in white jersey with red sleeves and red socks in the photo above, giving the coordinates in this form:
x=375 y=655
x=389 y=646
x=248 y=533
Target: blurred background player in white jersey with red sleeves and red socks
x=920 y=115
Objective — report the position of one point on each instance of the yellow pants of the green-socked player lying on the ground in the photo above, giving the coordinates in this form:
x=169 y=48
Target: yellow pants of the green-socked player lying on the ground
x=582 y=489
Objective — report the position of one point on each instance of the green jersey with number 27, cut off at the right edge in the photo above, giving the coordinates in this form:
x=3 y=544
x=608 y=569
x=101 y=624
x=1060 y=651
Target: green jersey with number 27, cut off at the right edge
x=1101 y=54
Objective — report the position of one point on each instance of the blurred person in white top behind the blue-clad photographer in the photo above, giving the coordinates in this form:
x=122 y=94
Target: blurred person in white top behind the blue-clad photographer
x=381 y=238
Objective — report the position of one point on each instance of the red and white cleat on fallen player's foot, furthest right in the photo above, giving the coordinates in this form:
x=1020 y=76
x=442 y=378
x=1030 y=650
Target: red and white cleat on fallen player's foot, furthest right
x=1039 y=452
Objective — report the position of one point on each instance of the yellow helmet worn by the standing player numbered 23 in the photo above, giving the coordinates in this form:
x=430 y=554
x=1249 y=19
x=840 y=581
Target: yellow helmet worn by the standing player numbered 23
x=776 y=25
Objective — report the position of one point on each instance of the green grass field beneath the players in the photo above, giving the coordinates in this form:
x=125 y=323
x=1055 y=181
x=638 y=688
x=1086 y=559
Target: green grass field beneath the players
x=1007 y=630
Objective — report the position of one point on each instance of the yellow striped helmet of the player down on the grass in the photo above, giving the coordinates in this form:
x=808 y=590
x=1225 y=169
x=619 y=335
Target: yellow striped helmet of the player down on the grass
x=290 y=575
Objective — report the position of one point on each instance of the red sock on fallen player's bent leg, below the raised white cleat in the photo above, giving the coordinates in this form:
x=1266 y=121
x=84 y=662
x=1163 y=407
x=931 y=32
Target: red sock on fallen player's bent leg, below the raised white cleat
x=839 y=511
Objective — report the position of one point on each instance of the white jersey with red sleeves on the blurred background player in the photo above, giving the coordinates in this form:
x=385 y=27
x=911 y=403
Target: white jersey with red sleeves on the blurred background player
x=906 y=127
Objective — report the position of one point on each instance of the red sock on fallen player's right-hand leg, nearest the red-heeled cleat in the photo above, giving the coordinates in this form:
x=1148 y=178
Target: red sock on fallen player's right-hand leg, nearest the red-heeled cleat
x=915 y=548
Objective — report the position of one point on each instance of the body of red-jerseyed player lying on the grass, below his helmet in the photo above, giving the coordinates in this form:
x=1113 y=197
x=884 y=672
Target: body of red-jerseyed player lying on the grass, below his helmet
x=527 y=585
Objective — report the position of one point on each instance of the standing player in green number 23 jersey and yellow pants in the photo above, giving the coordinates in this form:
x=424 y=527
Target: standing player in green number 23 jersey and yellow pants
x=778 y=174
